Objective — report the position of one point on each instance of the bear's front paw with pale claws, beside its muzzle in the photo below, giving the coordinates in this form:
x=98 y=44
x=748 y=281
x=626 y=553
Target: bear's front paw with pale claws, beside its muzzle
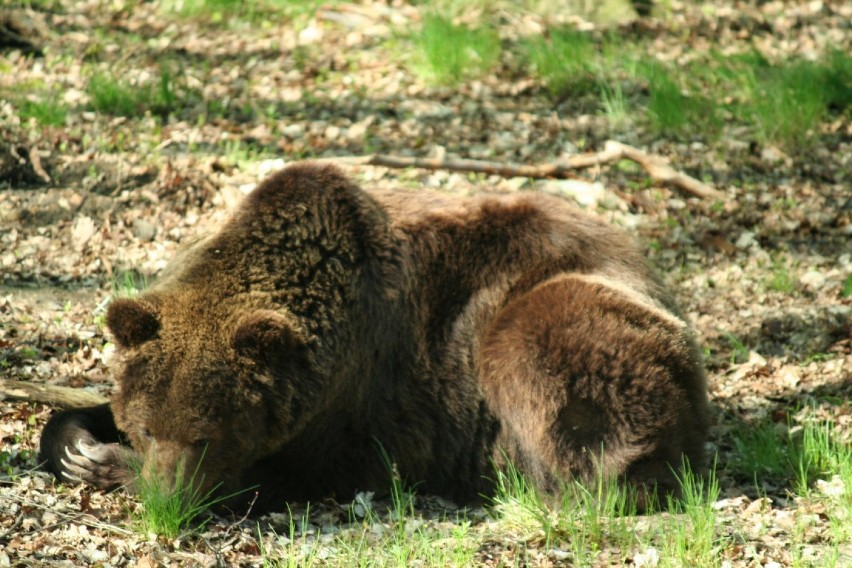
x=104 y=466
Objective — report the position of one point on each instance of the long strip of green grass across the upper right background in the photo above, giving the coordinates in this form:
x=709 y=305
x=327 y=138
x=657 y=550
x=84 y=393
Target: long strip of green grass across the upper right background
x=782 y=104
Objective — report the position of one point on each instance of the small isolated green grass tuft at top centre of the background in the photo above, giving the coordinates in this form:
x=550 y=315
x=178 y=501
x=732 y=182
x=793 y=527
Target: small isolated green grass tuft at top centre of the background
x=449 y=53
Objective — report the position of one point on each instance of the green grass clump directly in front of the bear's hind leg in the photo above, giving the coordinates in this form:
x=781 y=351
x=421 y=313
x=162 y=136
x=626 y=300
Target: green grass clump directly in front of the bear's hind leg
x=592 y=520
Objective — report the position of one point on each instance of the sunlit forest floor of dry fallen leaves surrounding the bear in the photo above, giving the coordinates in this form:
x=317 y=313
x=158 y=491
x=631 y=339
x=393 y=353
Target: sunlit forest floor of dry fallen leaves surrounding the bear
x=764 y=275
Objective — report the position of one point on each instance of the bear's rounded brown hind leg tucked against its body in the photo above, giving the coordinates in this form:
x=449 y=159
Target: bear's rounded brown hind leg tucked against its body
x=586 y=376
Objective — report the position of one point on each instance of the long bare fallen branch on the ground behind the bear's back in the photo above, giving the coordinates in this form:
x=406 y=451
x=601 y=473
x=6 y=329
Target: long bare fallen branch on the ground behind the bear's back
x=654 y=166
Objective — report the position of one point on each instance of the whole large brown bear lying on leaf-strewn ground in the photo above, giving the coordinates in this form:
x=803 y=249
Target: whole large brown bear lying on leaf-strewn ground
x=322 y=322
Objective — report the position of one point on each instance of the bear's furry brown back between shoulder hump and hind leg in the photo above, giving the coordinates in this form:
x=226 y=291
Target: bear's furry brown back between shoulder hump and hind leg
x=468 y=255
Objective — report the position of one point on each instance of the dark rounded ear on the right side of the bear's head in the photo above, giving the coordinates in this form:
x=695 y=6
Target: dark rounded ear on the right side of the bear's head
x=266 y=335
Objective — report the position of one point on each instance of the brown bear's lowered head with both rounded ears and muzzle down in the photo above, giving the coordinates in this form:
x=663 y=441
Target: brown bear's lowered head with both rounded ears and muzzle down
x=206 y=391
